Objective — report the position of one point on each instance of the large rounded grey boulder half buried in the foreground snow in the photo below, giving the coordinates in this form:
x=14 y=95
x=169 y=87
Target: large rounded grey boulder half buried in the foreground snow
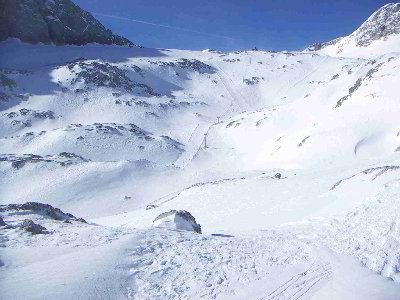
x=178 y=220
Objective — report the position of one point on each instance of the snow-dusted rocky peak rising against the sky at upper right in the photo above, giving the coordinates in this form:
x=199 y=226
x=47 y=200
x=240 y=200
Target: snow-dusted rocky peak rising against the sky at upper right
x=378 y=35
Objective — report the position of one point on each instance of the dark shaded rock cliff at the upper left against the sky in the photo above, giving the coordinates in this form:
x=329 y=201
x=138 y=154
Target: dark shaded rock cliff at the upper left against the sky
x=60 y=22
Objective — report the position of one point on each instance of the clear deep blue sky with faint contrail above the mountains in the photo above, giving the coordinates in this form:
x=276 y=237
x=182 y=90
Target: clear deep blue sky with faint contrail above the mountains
x=231 y=24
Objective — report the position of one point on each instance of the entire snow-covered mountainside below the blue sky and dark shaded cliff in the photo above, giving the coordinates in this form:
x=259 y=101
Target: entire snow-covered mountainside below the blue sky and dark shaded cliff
x=289 y=161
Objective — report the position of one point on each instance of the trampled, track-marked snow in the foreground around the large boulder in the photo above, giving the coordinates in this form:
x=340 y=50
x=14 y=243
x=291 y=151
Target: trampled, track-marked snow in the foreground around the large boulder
x=323 y=258
